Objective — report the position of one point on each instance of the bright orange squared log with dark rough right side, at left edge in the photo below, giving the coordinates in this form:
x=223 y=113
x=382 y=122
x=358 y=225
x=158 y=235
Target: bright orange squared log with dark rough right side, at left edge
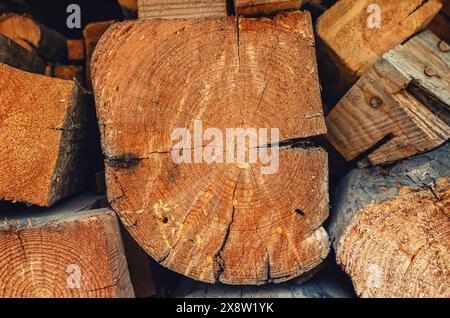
x=42 y=137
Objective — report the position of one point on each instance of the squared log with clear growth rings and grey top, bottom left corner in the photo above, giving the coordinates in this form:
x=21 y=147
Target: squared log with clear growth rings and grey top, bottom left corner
x=63 y=252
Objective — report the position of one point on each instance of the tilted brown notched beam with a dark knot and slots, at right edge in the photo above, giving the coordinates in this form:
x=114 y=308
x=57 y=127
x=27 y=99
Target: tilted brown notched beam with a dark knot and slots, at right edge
x=399 y=108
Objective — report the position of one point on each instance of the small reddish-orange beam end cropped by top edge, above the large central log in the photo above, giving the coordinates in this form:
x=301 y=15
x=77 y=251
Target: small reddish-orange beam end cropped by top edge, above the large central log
x=265 y=7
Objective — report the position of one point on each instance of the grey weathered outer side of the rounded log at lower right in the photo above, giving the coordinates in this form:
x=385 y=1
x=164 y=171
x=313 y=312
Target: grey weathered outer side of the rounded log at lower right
x=372 y=185
